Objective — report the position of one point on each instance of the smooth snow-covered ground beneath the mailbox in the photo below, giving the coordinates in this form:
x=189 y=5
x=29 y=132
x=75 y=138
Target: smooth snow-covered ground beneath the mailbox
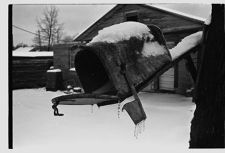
x=34 y=125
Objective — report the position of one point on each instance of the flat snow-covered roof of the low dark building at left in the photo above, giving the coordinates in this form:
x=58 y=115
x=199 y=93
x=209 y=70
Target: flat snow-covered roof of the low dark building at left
x=33 y=54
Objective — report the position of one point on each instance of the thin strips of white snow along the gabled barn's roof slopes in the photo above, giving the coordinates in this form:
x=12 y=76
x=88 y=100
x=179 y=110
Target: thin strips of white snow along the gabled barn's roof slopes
x=172 y=11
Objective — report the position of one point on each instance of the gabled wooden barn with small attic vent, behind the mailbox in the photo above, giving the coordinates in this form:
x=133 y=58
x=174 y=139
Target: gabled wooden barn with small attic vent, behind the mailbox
x=174 y=25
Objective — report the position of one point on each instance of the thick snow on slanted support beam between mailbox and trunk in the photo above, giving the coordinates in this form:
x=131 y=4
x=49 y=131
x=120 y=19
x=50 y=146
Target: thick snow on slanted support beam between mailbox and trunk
x=186 y=44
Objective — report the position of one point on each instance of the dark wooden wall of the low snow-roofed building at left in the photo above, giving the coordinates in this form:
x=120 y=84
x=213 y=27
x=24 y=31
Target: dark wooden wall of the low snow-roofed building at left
x=29 y=72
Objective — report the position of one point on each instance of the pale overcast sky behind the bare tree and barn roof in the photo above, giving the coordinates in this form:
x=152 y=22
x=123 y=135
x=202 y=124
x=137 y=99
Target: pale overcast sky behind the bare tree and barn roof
x=77 y=18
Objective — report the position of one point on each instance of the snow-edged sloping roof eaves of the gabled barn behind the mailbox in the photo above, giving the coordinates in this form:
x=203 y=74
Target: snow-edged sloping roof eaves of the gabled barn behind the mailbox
x=160 y=8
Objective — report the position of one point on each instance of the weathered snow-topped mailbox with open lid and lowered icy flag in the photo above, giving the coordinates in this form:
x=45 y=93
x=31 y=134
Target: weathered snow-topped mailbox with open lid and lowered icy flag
x=116 y=64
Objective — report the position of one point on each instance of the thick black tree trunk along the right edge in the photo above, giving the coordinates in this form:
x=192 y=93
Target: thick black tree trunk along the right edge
x=207 y=128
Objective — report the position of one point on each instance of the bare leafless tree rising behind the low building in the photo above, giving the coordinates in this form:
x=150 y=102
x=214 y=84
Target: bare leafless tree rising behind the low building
x=49 y=26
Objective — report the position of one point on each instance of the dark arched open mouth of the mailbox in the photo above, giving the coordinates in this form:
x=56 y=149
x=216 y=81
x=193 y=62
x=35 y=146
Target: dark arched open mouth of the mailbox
x=92 y=73
